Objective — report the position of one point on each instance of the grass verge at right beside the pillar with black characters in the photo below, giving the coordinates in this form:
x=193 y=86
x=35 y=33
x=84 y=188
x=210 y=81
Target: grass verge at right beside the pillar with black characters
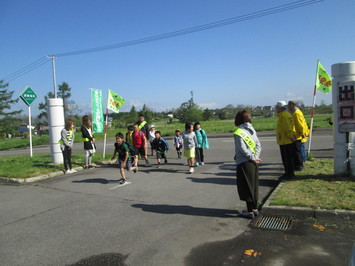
x=317 y=187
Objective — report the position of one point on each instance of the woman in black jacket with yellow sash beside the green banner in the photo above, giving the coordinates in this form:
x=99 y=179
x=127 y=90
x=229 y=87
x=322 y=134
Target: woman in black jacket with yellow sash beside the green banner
x=89 y=141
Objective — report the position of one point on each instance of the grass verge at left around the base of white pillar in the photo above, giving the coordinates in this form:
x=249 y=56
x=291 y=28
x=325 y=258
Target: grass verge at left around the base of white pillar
x=22 y=166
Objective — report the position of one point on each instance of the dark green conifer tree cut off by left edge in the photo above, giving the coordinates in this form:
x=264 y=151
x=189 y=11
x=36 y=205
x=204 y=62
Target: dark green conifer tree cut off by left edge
x=8 y=119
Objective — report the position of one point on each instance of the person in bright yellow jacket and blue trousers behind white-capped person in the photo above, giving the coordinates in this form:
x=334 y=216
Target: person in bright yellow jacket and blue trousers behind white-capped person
x=301 y=135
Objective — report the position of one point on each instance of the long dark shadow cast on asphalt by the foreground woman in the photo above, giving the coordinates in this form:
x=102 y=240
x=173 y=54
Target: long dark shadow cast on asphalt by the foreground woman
x=186 y=210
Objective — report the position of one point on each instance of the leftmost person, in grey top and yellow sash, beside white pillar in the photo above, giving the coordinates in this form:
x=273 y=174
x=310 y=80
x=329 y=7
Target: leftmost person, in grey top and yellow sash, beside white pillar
x=66 y=144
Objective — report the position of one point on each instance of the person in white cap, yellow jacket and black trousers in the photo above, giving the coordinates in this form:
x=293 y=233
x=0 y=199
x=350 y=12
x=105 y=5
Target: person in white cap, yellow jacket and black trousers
x=285 y=137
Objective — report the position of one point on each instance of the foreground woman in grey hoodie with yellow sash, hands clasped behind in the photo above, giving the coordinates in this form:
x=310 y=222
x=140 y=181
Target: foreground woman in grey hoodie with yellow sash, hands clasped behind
x=247 y=152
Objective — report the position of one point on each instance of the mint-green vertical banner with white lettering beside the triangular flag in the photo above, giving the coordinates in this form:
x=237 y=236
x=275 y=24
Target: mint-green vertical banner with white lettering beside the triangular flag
x=97 y=111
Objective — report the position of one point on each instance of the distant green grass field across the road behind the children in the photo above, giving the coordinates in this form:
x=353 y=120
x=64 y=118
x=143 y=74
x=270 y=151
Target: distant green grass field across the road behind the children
x=224 y=126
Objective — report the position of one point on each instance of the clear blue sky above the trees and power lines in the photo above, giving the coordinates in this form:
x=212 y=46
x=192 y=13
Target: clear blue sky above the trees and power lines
x=254 y=62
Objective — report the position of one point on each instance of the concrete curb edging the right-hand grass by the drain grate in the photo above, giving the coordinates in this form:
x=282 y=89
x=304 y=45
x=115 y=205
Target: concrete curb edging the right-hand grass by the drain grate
x=302 y=212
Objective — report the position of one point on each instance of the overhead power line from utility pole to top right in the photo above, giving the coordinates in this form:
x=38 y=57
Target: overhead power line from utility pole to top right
x=250 y=16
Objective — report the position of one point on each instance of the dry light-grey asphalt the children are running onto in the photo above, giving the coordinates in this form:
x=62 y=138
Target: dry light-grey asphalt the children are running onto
x=161 y=218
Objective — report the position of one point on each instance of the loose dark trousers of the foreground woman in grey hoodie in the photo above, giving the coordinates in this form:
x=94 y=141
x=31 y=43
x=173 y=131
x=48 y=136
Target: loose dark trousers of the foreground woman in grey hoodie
x=248 y=184
